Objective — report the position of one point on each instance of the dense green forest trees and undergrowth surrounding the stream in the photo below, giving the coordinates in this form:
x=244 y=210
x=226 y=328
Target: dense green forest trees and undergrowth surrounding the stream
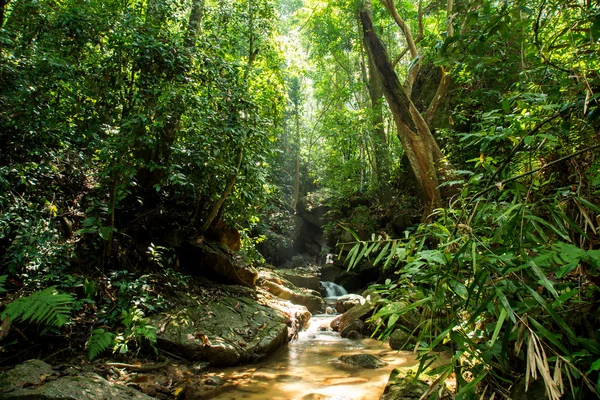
x=454 y=144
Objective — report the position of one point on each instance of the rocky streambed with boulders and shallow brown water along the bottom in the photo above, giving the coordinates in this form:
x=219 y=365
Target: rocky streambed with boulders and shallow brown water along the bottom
x=209 y=332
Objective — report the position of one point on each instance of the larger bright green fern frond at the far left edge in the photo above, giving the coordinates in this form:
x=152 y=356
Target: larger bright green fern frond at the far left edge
x=46 y=307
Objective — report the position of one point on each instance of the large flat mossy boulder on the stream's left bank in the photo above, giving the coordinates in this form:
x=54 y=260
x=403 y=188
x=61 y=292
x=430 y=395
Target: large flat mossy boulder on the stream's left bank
x=226 y=332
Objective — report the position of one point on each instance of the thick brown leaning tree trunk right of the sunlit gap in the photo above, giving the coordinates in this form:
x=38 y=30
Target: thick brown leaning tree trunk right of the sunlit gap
x=421 y=148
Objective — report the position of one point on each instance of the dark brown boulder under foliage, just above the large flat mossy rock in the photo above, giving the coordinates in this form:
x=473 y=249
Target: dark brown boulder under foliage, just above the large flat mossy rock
x=216 y=260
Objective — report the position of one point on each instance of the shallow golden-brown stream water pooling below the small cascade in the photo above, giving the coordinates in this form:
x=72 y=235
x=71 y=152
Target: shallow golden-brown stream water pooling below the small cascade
x=308 y=368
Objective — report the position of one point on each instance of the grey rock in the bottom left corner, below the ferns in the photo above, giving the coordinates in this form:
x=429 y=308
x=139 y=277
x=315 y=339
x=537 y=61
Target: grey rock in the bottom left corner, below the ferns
x=17 y=384
